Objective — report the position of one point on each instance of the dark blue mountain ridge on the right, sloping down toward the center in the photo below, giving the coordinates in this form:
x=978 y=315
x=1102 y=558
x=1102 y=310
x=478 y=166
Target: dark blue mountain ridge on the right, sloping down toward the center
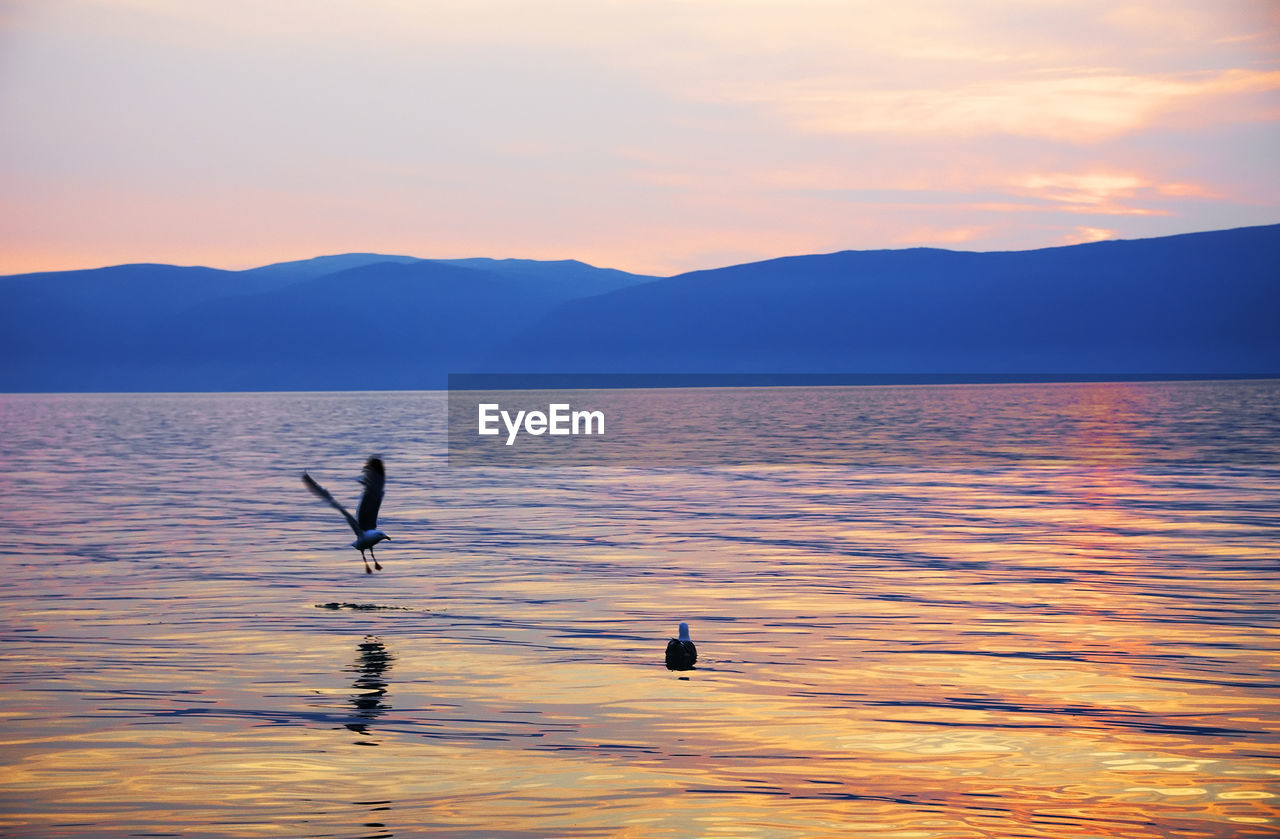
x=1201 y=303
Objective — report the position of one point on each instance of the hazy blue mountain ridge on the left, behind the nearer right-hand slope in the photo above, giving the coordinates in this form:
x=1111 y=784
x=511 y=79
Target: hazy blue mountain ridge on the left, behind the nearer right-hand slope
x=344 y=322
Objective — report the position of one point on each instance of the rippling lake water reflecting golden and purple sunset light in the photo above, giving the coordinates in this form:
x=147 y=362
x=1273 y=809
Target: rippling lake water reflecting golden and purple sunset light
x=1084 y=648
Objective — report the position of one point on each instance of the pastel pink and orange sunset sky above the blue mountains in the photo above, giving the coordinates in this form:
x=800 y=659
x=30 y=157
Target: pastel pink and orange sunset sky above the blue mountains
x=653 y=136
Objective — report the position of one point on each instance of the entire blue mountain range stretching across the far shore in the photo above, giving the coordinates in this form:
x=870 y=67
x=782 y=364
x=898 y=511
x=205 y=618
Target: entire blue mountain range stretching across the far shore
x=1195 y=304
